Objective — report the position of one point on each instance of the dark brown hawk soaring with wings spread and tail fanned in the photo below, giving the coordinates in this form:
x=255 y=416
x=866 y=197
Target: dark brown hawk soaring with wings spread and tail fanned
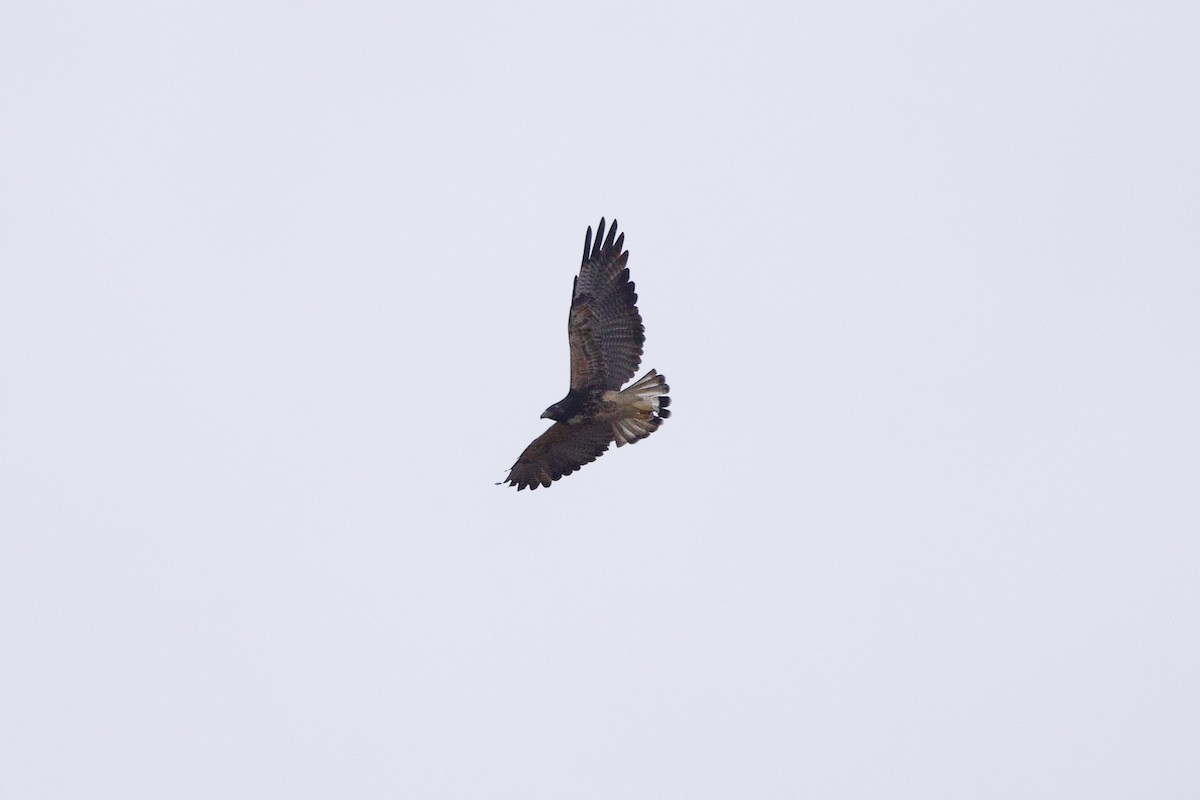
x=607 y=335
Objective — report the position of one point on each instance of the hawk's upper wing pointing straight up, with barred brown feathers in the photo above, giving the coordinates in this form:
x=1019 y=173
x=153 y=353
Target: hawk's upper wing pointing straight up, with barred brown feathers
x=605 y=330
